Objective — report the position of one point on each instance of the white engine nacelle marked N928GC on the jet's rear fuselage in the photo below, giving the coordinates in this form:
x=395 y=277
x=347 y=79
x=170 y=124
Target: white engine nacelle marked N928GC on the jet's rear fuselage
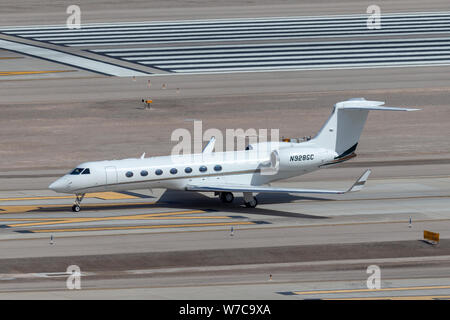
x=302 y=158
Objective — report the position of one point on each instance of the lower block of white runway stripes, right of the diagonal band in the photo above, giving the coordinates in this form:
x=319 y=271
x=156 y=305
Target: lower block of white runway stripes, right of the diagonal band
x=292 y=56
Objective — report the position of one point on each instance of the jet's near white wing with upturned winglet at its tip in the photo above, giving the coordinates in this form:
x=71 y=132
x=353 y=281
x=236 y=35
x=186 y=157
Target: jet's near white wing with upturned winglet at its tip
x=358 y=185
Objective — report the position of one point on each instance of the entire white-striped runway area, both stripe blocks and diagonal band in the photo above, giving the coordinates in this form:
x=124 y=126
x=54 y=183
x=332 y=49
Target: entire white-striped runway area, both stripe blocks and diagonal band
x=274 y=44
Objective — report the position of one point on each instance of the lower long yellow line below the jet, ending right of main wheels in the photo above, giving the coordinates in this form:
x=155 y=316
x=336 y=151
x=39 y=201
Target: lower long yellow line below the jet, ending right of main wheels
x=147 y=227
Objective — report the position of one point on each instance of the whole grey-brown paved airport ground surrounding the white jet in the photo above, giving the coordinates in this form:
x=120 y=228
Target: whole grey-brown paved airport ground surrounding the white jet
x=170 y=245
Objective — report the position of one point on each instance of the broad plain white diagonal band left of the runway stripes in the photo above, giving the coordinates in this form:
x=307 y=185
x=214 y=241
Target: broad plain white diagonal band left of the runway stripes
x=66 y=58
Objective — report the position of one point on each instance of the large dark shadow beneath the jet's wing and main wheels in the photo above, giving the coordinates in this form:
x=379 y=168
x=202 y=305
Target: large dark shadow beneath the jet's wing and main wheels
x=194 y=200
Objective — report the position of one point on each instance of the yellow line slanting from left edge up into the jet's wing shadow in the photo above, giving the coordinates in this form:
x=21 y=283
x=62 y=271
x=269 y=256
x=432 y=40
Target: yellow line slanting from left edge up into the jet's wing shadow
x=154 y=216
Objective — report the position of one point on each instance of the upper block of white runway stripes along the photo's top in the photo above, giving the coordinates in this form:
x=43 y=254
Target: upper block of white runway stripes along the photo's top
x=238 y=30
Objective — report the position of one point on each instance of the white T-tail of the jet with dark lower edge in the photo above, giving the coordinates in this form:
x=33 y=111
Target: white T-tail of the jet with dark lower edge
x=344 y=127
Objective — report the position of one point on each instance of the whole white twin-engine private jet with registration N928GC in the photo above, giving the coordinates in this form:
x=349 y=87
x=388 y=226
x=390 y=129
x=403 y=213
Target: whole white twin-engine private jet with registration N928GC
x=224 y=173
